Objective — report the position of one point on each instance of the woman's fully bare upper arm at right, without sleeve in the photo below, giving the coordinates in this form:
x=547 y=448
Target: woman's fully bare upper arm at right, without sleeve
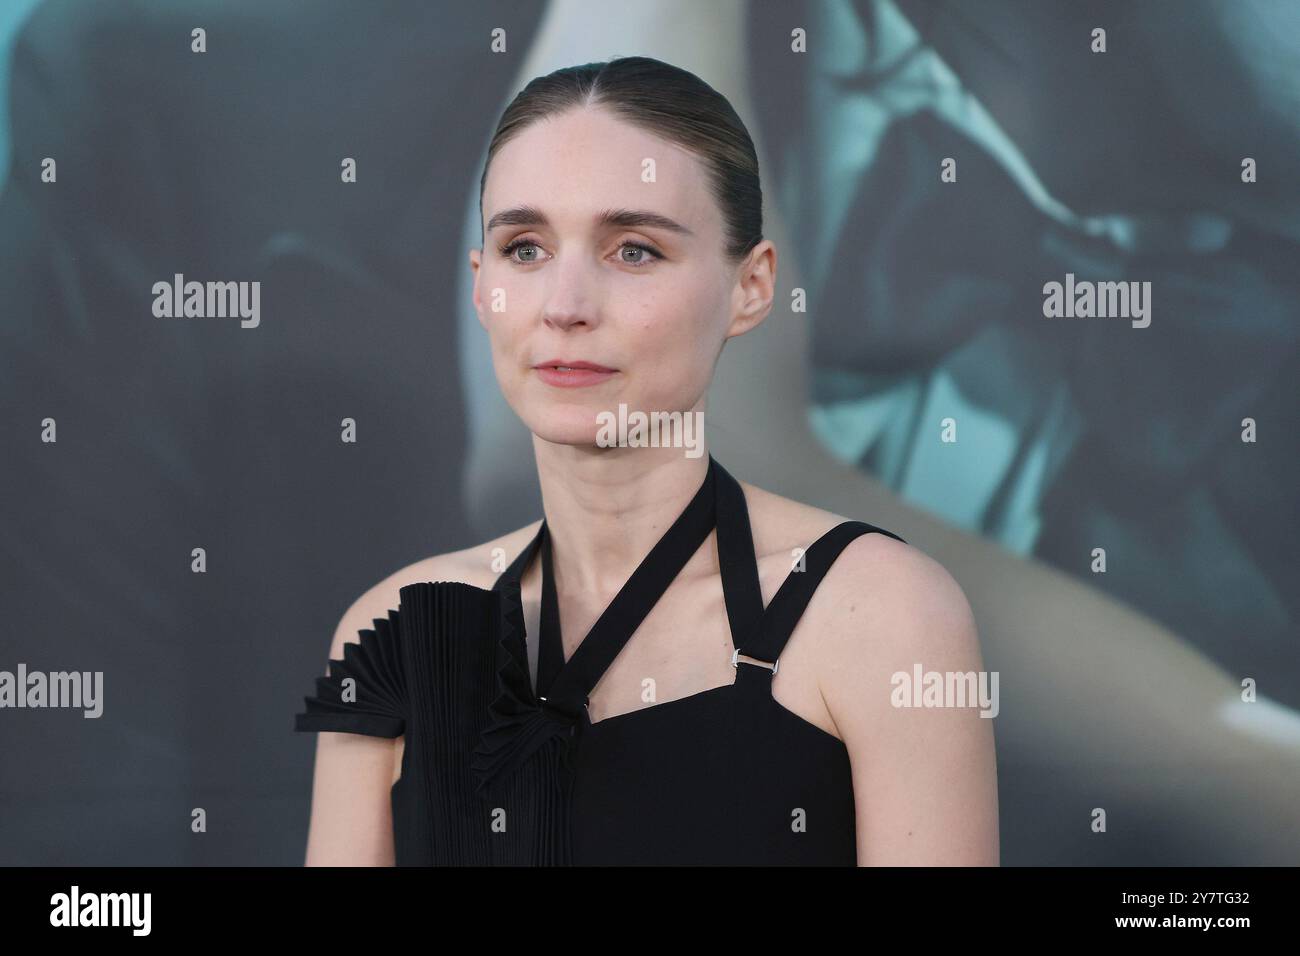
x=925 y=777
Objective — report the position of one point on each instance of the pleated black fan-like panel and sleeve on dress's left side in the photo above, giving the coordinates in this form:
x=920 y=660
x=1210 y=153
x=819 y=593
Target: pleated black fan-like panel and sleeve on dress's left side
x=486 y=769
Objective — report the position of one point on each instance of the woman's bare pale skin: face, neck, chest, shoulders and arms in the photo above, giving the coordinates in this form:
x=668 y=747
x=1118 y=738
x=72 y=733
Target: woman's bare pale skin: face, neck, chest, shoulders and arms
x=925 y=781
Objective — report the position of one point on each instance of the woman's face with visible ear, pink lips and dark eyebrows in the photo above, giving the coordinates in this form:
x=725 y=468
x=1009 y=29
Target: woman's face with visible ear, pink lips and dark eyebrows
x=593 y=254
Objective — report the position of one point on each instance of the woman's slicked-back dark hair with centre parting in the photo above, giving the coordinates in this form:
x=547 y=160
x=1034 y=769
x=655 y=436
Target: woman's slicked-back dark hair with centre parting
x=669 y=102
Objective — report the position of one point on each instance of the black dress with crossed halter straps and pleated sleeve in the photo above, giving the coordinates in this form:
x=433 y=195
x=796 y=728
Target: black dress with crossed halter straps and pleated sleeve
x=496 y=773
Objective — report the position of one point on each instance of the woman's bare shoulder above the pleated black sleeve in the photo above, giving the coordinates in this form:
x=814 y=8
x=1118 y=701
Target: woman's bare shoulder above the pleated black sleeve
x=479 y=566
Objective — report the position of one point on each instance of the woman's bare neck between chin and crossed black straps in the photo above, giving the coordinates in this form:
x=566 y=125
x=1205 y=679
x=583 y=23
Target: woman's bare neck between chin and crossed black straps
x=608 y=508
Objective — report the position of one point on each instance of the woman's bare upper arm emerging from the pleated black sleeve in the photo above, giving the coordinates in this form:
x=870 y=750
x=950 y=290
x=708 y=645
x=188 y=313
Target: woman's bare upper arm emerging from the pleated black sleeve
x=352 y=820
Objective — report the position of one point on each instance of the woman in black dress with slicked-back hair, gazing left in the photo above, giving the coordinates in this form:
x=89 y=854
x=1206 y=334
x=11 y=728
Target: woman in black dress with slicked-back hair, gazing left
x=723 y=689
